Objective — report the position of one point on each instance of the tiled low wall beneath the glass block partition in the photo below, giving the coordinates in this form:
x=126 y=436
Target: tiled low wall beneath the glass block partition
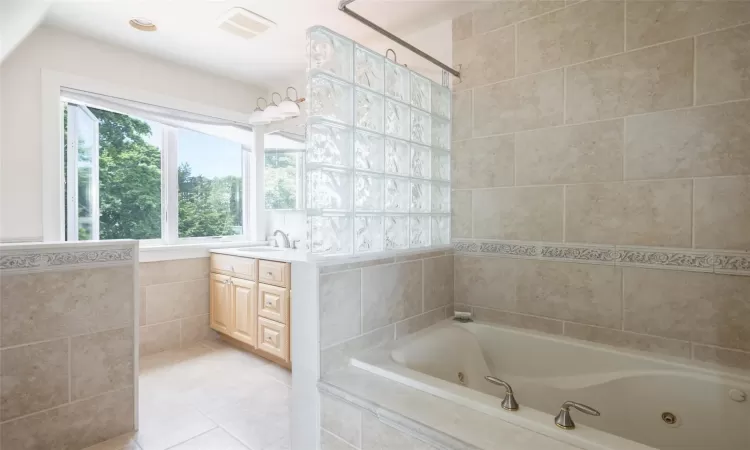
x=366 y=304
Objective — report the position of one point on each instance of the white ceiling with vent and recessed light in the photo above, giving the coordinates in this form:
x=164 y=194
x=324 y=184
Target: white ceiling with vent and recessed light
x=188 y=33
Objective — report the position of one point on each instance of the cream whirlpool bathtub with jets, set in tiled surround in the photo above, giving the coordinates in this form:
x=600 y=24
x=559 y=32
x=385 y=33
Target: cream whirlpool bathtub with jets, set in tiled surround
x=631 y=389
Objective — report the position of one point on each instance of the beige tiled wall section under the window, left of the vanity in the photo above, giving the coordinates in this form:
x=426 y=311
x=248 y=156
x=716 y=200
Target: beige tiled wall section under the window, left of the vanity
x=174 y=304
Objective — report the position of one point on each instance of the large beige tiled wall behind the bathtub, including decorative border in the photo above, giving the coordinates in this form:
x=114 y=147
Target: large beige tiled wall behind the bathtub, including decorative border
x=601 y=172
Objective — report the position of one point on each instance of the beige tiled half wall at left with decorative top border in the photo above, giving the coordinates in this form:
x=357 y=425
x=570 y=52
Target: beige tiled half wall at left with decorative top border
x=68 y=357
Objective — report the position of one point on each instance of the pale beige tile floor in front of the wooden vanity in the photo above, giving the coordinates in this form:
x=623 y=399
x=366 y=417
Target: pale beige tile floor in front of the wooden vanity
x=210 y=397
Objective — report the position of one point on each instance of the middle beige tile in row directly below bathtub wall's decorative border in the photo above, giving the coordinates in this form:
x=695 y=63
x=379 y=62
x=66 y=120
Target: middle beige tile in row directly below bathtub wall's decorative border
x=583 y=293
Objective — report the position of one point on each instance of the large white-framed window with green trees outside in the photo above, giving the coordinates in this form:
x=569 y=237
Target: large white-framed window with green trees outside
x=126 y=177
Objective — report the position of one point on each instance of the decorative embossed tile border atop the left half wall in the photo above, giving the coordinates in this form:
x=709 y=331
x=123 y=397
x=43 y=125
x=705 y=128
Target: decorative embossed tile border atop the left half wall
x=30 y=259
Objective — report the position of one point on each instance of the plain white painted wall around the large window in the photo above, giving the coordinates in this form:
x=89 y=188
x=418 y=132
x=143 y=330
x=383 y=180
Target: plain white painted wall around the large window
x=20 y=108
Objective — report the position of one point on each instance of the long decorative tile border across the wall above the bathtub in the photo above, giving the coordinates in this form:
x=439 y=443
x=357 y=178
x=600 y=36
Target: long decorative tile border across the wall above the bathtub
x=627 y=256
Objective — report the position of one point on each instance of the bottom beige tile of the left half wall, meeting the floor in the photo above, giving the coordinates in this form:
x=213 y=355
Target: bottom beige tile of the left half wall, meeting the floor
x=76 y=425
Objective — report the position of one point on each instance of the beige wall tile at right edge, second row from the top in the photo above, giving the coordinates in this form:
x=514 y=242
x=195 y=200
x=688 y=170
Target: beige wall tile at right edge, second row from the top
x=723 y=64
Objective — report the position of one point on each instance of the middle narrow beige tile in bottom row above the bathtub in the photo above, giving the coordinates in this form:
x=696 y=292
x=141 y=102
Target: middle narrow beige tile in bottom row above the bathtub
x=629 y=340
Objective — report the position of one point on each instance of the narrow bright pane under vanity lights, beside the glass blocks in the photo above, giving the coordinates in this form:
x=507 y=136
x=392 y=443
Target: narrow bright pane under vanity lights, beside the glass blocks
x=283 y=173
